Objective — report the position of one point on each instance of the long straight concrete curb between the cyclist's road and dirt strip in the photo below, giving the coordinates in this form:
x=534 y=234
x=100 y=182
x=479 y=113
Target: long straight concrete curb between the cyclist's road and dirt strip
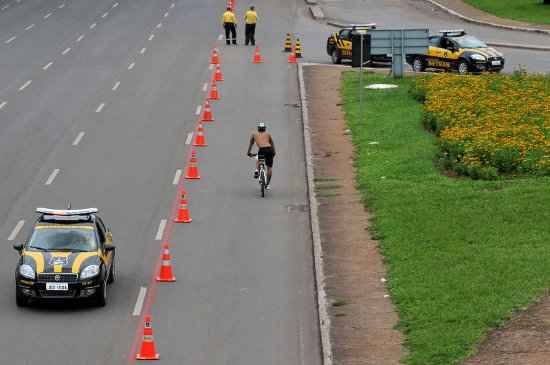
x=322 y=303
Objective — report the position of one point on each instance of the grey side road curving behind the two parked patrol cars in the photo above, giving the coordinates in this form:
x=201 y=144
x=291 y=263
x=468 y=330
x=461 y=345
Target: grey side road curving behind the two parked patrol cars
x=414 y=14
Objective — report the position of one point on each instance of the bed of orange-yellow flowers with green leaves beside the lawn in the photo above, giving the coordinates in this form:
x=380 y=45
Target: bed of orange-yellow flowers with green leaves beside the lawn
x=489 y=125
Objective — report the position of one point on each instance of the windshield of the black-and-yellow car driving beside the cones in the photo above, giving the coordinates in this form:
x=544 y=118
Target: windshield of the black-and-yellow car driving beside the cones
x=68 y=238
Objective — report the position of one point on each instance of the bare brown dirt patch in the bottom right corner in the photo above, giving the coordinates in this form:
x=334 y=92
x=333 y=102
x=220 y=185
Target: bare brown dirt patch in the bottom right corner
x=525 y=340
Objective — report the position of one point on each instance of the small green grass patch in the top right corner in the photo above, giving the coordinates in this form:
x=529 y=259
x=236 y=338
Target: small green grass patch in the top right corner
x=532 y=11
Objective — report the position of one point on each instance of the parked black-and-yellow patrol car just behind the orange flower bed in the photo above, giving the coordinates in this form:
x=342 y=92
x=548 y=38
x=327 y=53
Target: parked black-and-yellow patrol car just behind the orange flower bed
x=454 y=50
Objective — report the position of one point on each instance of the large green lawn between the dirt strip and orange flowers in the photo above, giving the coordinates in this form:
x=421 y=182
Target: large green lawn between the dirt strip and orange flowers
x=462 y=254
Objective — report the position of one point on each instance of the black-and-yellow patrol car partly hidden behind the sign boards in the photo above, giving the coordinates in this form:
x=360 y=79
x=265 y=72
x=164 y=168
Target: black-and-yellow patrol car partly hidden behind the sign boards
x=339 y=44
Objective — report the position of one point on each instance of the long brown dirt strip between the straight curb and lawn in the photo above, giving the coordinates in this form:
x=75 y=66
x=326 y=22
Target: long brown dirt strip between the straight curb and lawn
x=362 y=315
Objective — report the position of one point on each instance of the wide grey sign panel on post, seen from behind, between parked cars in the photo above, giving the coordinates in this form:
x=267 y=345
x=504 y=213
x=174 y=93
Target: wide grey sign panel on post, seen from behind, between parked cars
x=398 y=43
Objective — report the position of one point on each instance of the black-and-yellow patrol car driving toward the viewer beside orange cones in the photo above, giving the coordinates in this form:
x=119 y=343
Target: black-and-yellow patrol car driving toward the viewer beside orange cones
x=68 y=255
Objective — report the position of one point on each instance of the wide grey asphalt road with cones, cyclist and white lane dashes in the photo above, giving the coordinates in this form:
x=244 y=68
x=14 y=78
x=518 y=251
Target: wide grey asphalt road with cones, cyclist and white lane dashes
x=97 y=100
